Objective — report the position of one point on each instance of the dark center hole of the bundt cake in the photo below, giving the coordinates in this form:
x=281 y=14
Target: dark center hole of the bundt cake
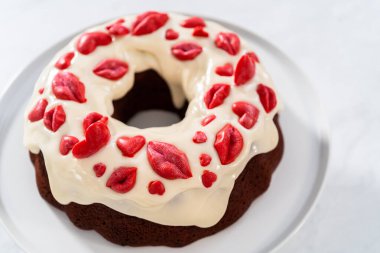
x=148 y=103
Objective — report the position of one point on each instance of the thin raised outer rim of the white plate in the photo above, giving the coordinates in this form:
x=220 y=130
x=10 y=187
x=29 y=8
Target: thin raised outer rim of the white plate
x=324 y=128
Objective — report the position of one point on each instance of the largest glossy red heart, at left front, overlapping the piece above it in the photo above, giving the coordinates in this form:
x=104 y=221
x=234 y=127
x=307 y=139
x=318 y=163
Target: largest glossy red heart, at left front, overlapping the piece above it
x=97 y=136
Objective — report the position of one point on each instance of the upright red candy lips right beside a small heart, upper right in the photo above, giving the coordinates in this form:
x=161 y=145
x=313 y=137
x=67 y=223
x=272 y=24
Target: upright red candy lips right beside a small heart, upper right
x=245 y=70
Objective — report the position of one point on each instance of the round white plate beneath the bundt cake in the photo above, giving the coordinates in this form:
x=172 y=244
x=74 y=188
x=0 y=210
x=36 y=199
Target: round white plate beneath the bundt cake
x=38 y=227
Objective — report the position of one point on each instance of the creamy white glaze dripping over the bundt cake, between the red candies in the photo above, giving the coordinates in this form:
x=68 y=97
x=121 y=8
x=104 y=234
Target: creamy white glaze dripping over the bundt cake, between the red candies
x=186 y=201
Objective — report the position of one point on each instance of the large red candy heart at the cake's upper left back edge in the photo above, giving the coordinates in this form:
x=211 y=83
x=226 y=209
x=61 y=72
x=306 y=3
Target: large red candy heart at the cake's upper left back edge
x=88 y=42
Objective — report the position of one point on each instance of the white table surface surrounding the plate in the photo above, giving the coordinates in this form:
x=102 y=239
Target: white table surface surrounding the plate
x=336 y=43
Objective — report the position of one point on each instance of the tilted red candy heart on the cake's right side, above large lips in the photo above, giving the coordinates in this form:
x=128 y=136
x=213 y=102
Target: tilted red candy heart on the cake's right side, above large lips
x=248 y=113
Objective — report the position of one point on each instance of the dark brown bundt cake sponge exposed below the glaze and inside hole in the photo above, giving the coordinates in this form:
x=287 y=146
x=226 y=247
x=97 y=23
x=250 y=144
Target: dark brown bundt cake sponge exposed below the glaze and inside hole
x=129 y=230
